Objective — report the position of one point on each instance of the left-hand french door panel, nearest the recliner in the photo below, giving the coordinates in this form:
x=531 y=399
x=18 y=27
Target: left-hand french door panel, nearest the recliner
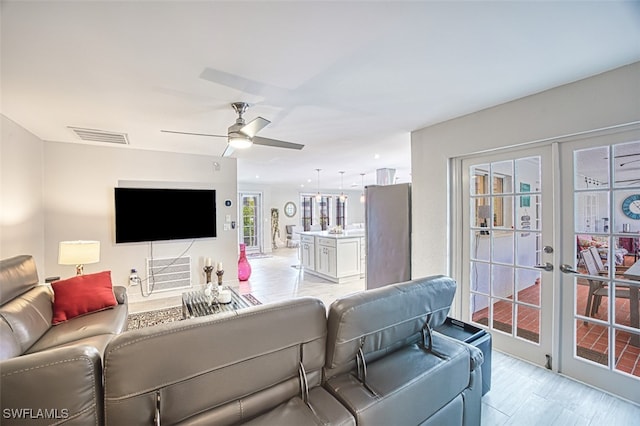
x=507 y=273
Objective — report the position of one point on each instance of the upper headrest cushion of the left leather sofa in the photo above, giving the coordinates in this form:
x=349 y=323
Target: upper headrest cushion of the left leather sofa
x=18 y=275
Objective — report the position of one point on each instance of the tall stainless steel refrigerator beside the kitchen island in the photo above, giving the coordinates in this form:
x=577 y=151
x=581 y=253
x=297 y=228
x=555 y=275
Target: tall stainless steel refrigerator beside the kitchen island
x=388 y=234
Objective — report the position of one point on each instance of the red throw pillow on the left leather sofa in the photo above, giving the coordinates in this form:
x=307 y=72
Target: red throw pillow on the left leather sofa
x=81 y=295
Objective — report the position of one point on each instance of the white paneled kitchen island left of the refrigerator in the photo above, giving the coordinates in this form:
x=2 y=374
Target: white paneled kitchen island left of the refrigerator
x=335 y=257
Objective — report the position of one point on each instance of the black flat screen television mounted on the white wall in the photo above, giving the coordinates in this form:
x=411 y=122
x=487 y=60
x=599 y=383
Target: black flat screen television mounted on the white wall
x=158 y=214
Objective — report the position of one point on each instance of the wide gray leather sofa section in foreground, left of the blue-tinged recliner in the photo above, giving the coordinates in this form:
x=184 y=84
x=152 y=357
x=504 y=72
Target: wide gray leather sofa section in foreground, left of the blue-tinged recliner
x=262 y=366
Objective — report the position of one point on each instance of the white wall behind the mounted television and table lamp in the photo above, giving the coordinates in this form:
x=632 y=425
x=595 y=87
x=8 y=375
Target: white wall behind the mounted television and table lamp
x=79 y=204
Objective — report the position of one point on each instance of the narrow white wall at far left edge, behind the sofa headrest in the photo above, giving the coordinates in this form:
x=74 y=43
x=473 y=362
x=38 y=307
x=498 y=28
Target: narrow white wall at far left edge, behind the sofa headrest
x=21 y=196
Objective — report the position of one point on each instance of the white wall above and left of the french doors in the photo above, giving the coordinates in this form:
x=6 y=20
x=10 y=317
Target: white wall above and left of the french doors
x=608 y=99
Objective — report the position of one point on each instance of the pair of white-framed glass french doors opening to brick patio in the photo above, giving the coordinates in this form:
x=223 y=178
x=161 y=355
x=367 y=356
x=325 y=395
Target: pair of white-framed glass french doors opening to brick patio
x=530 y=219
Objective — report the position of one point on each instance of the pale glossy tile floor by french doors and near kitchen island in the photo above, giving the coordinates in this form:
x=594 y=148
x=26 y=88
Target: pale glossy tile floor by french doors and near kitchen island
x=521 y=393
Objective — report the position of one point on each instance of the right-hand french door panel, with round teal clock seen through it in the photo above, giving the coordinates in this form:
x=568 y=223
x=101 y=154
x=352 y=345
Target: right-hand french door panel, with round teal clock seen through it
x=600 y=332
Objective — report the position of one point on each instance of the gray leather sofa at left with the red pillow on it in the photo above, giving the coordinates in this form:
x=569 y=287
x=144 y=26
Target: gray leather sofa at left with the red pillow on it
x=44 y=367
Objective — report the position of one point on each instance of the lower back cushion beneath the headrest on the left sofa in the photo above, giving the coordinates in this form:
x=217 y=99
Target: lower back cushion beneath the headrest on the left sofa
x=29 y=315
